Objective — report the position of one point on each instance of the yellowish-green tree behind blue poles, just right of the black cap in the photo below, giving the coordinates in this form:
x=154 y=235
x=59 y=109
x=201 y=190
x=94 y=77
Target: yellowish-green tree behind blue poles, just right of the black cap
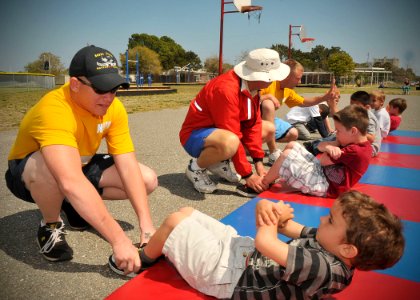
x=148 y=60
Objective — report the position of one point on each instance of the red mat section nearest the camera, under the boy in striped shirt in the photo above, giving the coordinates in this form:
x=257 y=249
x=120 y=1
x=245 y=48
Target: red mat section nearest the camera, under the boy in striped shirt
x=163 y=282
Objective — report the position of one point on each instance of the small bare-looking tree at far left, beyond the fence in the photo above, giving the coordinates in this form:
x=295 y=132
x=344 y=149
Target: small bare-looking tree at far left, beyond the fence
x=49 y=60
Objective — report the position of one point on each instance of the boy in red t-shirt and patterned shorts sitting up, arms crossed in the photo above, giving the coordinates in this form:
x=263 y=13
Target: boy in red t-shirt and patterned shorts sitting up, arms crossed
x=341 y=165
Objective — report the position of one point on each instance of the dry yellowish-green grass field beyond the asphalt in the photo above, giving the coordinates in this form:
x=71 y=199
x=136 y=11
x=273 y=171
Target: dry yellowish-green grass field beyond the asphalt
x=15 y=102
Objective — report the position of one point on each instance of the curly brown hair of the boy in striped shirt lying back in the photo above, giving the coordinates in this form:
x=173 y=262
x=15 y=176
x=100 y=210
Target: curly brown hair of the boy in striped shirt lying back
x=373 y=230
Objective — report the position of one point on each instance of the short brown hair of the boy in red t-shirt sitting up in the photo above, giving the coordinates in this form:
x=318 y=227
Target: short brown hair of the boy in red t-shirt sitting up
x=353 y=116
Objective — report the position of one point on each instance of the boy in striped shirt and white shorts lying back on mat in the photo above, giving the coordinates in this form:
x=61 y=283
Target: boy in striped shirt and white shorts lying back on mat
x=358 y=233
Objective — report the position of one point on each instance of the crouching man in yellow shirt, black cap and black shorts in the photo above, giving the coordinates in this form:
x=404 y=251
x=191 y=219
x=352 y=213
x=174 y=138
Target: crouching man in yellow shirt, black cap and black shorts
x=54 y=158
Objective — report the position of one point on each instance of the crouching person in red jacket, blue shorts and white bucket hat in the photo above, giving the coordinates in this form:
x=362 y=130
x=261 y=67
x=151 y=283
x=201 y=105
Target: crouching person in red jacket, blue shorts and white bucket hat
x=224 y=119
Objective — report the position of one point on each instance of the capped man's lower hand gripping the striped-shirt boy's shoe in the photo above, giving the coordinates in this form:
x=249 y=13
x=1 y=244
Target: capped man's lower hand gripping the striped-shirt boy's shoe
x=126 y=256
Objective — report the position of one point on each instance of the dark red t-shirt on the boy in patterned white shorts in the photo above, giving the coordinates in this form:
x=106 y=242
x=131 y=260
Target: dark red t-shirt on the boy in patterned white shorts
x=348 y=168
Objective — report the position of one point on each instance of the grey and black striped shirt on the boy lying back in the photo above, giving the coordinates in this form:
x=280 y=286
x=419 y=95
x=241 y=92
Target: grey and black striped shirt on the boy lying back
x=311 y=273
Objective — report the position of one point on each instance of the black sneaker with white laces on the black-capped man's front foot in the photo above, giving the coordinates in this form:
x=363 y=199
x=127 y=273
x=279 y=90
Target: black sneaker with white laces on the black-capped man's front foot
x=52 y=243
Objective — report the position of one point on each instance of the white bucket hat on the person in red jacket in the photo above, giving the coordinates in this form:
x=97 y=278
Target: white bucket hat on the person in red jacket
x=262 y=65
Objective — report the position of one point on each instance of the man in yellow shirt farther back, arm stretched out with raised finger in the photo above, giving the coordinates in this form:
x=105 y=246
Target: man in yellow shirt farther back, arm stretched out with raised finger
x=279 y=93
